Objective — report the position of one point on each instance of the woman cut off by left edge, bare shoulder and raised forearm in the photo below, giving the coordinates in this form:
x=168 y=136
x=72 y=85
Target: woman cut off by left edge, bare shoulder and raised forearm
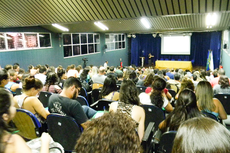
x=13 y=143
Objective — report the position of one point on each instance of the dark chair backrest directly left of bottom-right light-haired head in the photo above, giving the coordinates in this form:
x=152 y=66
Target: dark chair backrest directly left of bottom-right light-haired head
x=166 y=142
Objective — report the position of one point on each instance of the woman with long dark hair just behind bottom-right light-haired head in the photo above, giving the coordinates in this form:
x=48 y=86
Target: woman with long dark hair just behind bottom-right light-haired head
x=186 y=108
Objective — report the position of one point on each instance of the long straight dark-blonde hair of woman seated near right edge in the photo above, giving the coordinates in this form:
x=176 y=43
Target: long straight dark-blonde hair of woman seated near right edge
x=204 y=95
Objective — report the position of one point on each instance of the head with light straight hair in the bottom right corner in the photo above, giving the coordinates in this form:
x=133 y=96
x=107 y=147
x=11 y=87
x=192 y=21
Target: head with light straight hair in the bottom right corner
x=201 y=135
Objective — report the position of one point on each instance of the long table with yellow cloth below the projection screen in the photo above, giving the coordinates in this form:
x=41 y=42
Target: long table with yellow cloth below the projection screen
x=184 y=65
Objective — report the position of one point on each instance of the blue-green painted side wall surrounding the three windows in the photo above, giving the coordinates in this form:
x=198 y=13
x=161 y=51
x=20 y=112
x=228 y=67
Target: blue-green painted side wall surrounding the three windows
x=54 y=56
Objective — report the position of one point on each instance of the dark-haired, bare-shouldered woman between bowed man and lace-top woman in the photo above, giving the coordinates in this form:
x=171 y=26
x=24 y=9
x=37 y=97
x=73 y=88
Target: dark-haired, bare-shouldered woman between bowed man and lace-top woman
x=109 y=89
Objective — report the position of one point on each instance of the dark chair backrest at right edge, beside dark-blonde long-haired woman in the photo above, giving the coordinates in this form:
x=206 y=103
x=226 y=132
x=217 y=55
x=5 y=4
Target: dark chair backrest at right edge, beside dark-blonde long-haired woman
x=225 y=100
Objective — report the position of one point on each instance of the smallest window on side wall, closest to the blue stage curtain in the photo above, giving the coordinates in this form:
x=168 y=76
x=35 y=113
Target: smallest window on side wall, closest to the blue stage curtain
x=114 y=41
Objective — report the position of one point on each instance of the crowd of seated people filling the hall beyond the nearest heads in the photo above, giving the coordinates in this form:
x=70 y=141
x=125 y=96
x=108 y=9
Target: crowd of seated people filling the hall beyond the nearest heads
x=194 y=93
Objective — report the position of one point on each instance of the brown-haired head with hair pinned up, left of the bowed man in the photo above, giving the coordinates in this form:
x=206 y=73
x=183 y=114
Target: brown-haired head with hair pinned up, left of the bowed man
x=32 y=84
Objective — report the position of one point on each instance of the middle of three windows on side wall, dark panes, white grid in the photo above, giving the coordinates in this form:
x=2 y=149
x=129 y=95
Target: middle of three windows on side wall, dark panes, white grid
x=75 y=44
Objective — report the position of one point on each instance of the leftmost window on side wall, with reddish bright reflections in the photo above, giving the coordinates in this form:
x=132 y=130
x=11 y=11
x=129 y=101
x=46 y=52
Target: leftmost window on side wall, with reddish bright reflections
x=19 y=41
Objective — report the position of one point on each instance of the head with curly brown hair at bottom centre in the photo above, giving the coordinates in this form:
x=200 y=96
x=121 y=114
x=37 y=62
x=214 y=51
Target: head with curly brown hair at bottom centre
x=111 y=133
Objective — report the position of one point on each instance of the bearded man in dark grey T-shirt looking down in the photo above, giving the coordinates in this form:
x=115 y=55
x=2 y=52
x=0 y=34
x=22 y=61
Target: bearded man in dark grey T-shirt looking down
x=66 y=105
